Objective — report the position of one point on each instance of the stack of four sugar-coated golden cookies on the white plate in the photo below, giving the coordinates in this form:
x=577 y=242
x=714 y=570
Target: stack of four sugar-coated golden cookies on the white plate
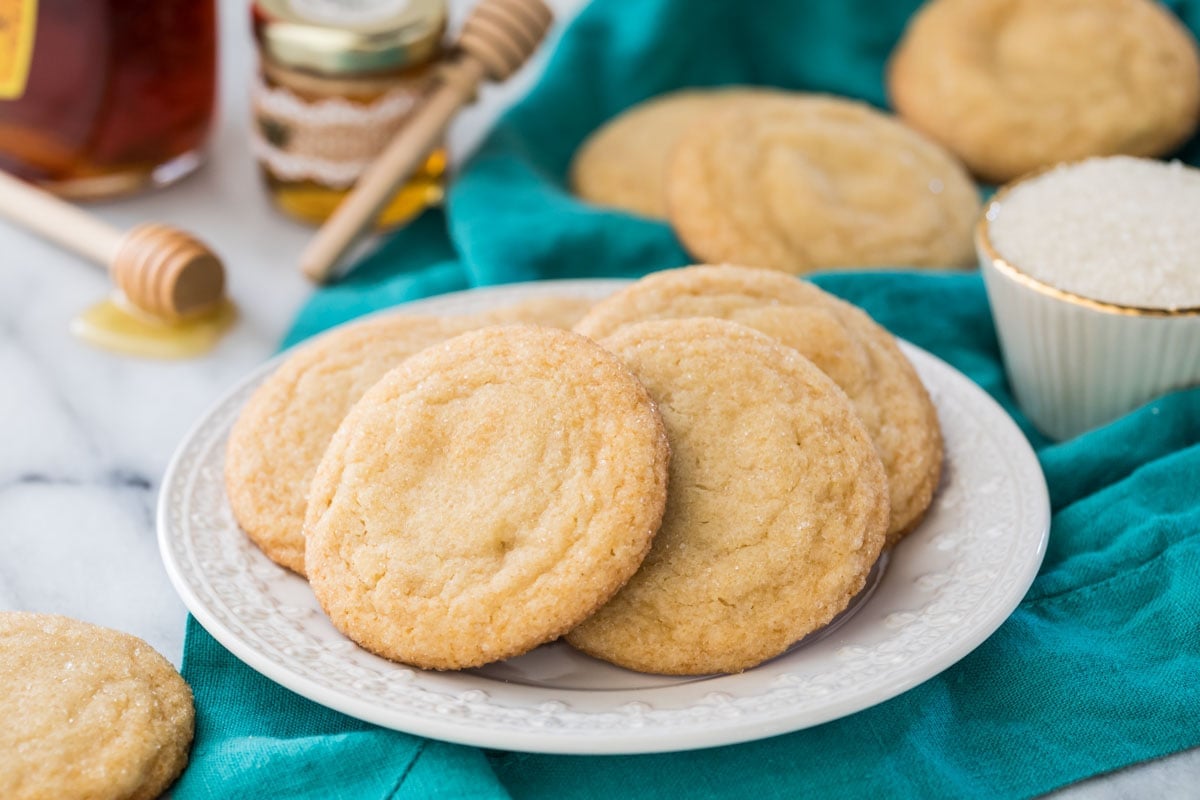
x=699 y=476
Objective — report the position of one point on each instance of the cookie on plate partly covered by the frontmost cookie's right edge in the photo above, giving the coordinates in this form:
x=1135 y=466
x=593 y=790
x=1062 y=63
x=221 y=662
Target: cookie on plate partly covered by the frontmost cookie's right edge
x=777 y=506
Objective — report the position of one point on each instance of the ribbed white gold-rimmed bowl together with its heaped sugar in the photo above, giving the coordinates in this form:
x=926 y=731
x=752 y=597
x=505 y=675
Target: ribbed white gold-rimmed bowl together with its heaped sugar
x=1094 y=276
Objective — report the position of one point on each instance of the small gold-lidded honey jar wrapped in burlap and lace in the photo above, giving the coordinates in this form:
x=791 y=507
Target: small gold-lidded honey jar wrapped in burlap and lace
x=337 y=81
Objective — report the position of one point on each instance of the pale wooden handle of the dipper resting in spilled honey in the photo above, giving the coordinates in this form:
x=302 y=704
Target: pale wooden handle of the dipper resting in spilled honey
x=57 y=221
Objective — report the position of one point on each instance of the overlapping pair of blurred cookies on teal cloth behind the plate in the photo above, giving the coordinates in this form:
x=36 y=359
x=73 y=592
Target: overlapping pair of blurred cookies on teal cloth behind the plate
x=783 y=181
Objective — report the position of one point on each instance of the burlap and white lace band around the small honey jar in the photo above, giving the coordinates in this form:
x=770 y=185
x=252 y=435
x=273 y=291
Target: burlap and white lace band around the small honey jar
x=329 y=142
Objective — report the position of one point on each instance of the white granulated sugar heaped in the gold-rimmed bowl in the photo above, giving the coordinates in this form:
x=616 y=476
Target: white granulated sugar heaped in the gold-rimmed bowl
x=1123 y=231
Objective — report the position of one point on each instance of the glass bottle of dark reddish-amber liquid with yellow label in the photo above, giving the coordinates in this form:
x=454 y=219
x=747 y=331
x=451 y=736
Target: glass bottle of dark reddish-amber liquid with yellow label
x=103 y=98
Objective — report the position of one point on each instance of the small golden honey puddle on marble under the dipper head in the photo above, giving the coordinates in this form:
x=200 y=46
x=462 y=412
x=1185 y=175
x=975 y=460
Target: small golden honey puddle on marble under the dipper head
x=113 y=324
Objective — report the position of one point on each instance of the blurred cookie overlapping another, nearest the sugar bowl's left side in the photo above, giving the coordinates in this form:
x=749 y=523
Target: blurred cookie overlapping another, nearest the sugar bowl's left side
x=803 y=183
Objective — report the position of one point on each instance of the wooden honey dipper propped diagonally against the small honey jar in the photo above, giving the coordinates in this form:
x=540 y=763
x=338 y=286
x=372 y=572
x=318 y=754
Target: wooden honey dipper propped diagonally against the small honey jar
x=496 y=40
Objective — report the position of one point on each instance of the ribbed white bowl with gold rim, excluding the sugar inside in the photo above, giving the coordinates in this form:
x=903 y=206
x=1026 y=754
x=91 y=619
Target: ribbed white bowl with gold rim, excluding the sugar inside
x=1076 y=364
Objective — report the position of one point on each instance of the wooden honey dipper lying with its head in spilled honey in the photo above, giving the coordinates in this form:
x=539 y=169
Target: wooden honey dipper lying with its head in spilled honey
x=163 y=272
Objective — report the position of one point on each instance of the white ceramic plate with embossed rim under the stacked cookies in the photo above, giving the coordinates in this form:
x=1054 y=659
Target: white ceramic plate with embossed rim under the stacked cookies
x=940 y=594
